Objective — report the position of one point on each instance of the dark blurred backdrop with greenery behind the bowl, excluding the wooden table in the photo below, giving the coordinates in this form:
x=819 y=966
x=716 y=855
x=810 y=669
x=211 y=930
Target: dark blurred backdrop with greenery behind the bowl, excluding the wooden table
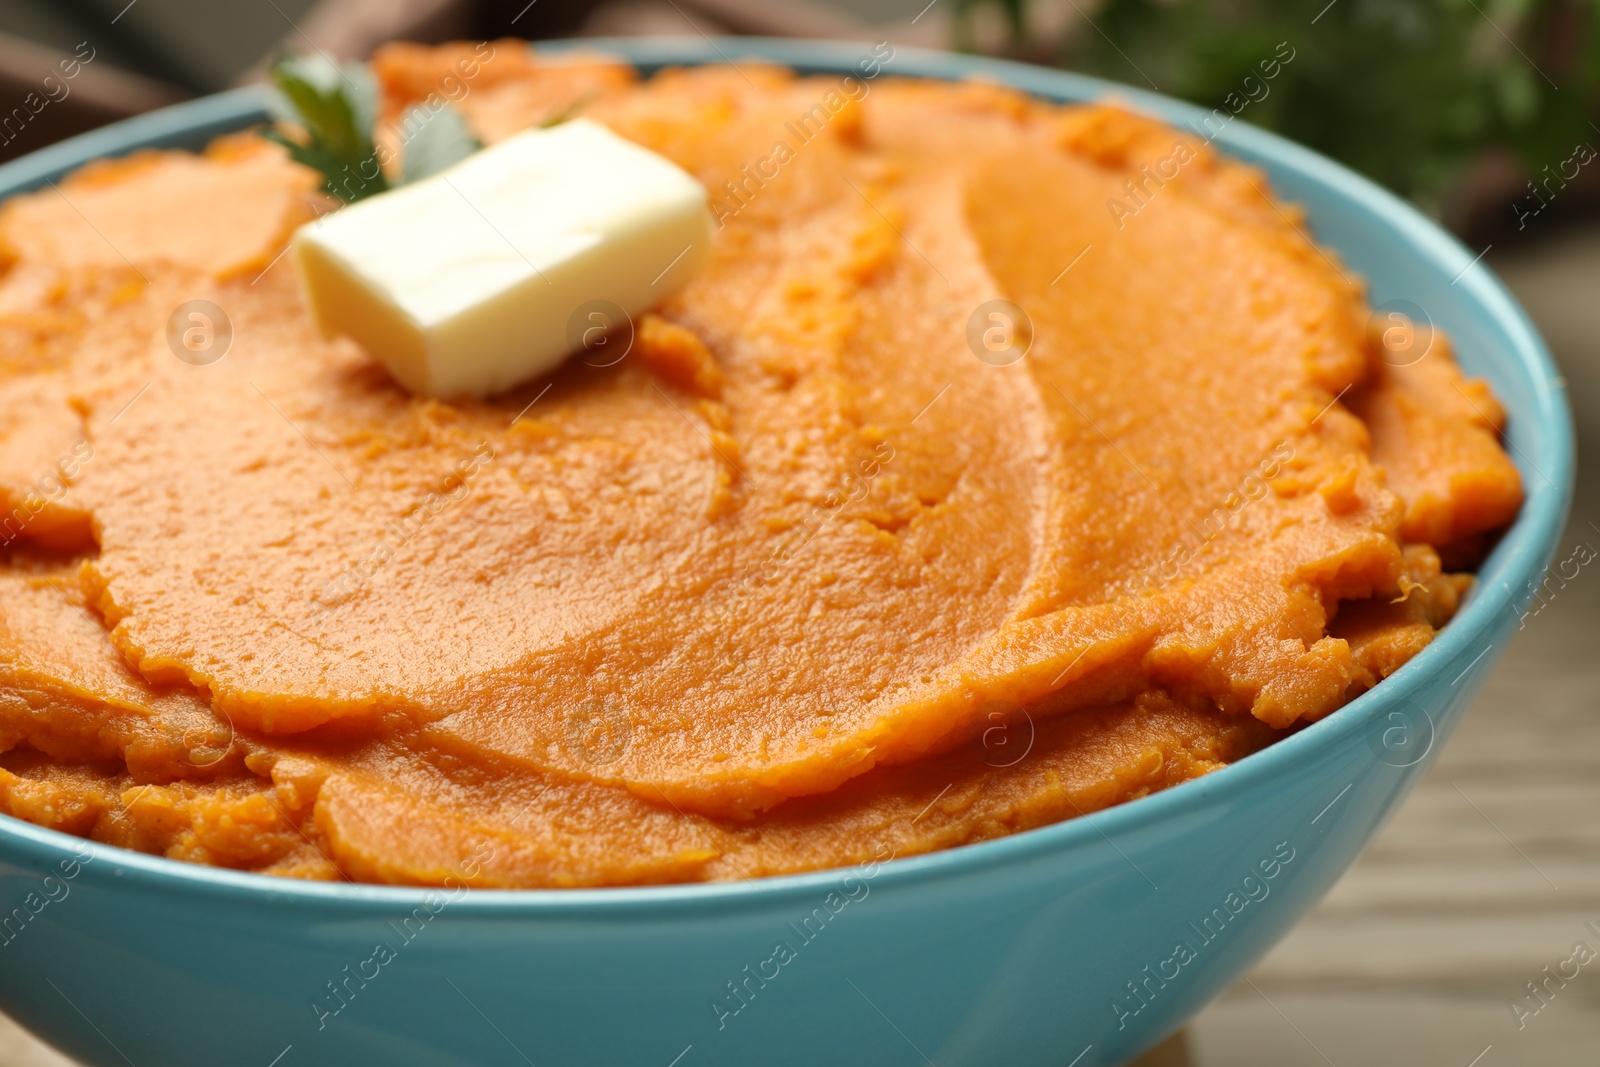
x=1457 y=105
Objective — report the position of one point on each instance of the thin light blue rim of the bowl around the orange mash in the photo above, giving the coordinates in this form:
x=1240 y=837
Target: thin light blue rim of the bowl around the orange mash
x=1524 y=551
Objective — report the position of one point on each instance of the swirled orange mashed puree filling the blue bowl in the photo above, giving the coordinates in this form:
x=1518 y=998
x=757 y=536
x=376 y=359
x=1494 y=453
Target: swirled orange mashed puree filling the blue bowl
x=798 y=580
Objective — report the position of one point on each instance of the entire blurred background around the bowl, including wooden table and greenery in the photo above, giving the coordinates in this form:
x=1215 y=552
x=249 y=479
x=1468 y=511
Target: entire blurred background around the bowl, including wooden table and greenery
x=1484 y=114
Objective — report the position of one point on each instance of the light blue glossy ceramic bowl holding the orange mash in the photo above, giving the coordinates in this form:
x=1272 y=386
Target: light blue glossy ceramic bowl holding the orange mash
x=1076 y=945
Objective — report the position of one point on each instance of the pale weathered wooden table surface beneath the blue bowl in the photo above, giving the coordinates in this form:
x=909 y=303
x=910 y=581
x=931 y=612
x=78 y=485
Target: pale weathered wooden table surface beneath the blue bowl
x=1490 y=869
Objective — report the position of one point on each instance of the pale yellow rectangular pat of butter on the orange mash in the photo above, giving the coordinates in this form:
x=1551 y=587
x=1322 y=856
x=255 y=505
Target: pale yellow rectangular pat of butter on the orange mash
x=466 y=284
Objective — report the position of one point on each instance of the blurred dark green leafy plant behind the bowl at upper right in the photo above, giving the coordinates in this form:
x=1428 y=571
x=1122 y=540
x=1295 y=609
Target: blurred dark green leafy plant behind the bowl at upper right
x=1409 y=92
